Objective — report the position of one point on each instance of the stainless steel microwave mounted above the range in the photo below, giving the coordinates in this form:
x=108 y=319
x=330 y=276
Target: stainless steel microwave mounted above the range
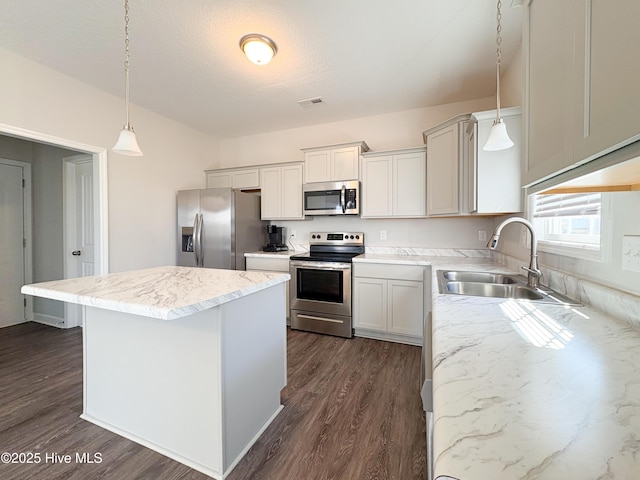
x=332 y=198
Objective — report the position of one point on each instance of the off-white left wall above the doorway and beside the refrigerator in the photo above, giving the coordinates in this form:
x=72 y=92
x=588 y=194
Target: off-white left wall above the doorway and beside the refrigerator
x=141 y=190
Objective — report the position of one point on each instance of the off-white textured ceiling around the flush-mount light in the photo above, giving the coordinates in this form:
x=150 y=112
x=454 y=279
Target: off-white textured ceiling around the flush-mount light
x=363 y=57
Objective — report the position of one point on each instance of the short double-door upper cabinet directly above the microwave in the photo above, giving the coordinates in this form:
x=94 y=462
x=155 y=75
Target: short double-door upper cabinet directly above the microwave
x=333 y=163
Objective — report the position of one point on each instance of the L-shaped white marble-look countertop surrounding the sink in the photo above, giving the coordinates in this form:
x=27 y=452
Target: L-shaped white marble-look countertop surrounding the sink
x=529 y=390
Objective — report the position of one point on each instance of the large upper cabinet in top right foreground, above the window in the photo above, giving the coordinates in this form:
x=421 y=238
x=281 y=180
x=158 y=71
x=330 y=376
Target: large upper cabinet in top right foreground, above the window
x=581 y=92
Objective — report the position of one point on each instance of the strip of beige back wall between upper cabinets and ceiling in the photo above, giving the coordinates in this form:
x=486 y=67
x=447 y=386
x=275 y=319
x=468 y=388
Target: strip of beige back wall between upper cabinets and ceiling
x=380 y=132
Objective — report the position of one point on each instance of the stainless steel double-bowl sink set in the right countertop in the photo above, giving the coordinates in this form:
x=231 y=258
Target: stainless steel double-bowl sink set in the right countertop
x=496 y=285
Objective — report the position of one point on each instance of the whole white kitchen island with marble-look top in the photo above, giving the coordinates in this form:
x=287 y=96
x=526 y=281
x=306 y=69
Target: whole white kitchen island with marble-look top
x=188 y=362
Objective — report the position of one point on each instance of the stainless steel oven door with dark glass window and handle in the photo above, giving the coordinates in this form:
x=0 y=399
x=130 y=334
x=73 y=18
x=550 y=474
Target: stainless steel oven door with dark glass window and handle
x=322 y=287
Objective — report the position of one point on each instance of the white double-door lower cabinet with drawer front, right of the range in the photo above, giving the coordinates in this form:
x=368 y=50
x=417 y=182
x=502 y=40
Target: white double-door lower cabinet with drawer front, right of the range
x=389 y=301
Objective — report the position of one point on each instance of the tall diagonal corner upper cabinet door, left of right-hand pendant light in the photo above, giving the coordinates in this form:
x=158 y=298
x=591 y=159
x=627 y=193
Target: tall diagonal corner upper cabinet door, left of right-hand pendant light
x=443 y=159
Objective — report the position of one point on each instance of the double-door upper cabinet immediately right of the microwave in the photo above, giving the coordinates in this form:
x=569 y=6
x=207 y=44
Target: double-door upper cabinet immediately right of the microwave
x=394 y=183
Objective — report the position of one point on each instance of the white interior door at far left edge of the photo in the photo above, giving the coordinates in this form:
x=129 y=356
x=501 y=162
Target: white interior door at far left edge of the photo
x=12 y=255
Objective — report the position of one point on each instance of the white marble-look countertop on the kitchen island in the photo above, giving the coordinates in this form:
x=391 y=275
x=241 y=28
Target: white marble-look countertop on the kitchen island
x=163 y=292
